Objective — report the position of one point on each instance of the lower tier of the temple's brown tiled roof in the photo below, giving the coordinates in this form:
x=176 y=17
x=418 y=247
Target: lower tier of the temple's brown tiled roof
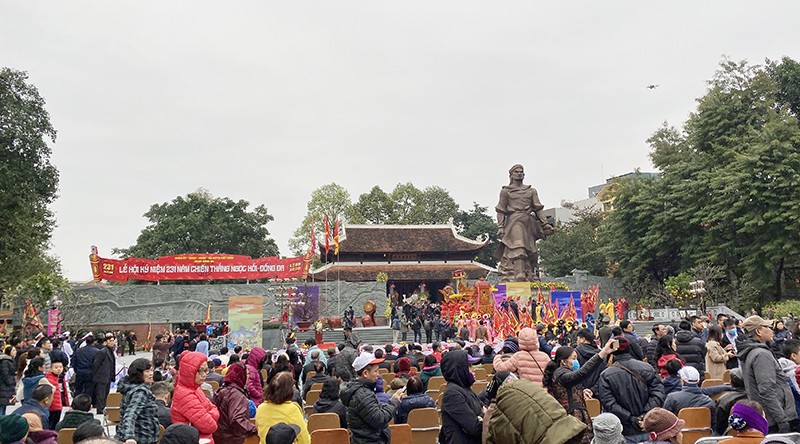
x=398 y=271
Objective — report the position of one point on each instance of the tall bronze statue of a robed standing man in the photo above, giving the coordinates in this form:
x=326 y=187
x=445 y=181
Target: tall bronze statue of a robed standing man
x=521 y=222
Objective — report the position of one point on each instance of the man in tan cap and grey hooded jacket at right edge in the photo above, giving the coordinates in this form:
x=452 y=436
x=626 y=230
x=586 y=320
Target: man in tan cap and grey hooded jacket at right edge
x=763 y=378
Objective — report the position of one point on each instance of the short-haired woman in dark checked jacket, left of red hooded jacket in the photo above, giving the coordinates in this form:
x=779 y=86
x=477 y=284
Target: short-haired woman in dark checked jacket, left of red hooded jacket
x=138 y=410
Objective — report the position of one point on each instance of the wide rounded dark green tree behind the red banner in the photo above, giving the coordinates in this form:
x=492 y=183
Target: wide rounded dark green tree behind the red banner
x=202 y=223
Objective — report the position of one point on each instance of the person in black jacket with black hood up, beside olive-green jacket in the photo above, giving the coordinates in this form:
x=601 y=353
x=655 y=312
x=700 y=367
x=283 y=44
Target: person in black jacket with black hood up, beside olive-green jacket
x=462 y=411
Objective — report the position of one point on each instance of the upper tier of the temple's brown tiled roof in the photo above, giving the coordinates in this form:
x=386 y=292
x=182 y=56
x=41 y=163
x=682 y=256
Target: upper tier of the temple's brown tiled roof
x=406 y=239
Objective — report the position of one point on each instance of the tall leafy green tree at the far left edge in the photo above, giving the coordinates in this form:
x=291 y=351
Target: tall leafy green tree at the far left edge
x=28 y=181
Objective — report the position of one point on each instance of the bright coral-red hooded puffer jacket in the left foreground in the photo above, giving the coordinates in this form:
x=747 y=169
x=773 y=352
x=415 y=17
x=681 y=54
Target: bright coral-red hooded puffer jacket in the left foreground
x=189 y=403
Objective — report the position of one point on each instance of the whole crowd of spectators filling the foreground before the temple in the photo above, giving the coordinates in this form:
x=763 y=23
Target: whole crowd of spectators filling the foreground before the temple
x=538 y=390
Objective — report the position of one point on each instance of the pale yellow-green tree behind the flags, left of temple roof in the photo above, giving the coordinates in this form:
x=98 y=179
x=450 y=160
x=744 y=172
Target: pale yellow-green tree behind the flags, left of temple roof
x=330 y=200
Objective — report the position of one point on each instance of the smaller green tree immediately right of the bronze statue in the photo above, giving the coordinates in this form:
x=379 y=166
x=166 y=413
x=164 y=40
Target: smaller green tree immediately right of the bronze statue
x=574 y=245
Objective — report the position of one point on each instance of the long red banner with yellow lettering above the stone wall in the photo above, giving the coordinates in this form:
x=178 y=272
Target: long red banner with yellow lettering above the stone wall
x=201 y=267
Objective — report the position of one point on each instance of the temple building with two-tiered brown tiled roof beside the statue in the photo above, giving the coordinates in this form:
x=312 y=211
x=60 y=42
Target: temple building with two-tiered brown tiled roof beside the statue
x=408 y=255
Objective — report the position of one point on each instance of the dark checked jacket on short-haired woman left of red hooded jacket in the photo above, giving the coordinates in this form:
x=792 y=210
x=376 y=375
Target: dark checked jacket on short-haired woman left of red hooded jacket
x=138 y=414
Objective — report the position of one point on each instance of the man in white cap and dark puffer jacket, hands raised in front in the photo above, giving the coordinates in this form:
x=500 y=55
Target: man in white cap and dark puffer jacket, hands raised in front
x=367 y=418
